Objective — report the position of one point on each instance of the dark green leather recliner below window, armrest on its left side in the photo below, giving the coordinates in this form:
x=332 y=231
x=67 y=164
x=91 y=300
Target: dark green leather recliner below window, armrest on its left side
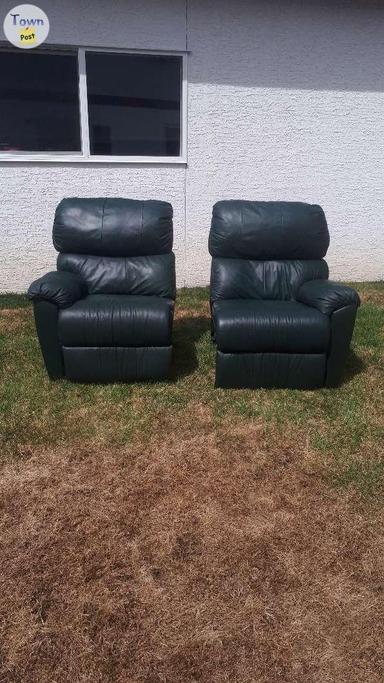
x=106 y=314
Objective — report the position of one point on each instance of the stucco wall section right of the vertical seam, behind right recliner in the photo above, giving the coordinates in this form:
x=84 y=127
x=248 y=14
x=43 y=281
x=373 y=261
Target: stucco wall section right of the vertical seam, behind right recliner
x=286 y=102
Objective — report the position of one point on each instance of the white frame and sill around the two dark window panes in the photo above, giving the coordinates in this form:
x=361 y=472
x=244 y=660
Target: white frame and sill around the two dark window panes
x=84 y=156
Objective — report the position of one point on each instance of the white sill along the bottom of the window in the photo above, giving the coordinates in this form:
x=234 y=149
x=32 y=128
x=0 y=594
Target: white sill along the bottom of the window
x=80 y=159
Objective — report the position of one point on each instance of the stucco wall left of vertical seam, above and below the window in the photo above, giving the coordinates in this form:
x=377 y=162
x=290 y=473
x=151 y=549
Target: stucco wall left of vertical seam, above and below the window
x=29 y=193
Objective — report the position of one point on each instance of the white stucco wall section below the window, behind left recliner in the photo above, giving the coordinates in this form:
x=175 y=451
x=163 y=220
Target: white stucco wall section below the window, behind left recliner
x=29 y=196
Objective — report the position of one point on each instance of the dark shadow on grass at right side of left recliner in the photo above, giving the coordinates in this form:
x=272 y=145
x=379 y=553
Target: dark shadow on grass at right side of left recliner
x=186 y=333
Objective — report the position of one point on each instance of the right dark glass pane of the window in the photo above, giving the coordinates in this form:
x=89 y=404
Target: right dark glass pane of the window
x=134 y=104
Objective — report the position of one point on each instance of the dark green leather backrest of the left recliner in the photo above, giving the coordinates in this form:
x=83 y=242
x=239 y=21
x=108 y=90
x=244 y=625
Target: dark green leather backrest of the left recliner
x=118 y=246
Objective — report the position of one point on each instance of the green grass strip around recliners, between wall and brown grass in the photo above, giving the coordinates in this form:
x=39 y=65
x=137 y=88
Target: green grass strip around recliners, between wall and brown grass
x=344 y=426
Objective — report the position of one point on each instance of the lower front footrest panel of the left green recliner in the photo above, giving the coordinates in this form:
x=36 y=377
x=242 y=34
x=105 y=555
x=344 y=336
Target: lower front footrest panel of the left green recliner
x=116 y=364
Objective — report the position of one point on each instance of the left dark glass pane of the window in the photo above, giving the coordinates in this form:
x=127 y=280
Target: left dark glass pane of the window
x=39 y=102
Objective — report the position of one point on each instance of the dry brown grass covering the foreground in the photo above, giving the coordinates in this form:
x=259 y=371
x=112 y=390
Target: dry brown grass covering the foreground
x=213 y=555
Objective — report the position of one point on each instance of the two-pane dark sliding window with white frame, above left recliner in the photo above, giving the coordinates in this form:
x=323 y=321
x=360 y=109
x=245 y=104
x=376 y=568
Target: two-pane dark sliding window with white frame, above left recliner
x=91 y=105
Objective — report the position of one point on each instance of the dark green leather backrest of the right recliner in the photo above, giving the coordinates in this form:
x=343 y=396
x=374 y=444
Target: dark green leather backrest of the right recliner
x=266 y=250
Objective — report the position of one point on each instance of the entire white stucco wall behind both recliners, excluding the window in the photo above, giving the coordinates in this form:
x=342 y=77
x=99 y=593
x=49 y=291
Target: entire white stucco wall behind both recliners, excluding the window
x=285 y=101
